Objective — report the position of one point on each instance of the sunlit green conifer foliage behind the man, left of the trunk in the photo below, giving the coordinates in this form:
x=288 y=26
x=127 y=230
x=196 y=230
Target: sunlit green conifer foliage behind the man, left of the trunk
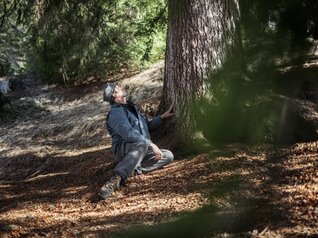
x=72 y=40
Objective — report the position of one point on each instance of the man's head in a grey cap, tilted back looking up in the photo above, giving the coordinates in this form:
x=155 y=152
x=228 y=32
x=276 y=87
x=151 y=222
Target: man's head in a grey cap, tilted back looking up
x=114 y=93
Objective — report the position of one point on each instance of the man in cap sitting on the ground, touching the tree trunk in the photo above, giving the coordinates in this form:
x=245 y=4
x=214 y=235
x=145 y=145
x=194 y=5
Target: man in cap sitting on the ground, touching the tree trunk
x=131 y=142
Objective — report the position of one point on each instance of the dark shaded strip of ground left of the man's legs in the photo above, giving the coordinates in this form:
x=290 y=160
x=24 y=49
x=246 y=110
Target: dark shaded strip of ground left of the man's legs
x=31 y=179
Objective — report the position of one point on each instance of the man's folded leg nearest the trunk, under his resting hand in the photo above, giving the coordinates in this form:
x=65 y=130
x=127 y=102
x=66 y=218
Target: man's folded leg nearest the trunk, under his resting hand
x=149 y=163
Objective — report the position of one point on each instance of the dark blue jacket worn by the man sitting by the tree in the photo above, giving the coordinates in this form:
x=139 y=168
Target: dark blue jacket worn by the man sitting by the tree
x=126 y=124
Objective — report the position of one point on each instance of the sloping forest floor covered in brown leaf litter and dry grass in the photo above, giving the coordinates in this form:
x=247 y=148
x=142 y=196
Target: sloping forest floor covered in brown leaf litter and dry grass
x=55 y=156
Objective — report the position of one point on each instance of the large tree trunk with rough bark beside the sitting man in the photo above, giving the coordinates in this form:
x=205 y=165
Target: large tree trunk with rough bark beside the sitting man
x=202 y=36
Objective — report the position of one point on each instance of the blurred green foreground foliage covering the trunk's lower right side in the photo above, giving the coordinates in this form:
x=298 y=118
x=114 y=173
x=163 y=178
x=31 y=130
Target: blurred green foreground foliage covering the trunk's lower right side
x=239 y=111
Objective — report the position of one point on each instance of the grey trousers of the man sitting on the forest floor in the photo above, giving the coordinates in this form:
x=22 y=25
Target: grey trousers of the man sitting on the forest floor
x=131 y=156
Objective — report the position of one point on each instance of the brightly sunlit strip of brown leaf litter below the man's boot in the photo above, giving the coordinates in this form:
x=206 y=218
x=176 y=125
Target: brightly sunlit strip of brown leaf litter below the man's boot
x=148 y=206
